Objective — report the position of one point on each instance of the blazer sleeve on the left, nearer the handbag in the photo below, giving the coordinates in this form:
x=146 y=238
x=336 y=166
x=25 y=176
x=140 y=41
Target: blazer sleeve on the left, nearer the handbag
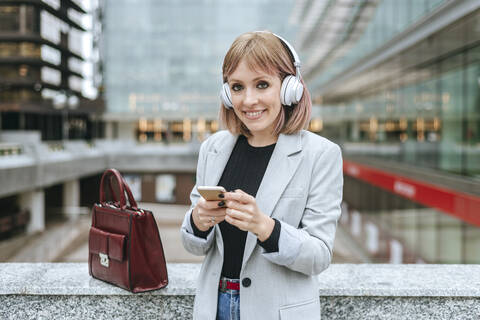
x=193 y=244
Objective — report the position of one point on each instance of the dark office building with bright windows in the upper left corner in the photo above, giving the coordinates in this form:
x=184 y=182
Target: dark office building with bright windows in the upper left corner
x=42 y=71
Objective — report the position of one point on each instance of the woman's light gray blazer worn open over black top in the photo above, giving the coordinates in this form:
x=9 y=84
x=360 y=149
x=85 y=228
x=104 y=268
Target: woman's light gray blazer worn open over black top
x=302 y=188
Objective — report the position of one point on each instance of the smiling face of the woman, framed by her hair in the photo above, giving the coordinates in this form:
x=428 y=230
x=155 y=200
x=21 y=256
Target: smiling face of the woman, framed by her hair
x=256 y=99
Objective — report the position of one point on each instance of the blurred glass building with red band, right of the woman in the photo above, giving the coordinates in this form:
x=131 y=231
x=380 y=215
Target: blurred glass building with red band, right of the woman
x=404 y=102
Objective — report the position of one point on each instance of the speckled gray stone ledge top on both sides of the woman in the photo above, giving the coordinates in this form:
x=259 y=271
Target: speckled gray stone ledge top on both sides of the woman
x=338 y=280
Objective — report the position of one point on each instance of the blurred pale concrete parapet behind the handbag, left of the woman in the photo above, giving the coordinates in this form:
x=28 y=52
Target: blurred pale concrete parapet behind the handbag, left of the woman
x=32 y=165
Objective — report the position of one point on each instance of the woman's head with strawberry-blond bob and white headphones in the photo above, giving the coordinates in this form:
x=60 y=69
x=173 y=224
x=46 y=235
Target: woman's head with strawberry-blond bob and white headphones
x=259 y=65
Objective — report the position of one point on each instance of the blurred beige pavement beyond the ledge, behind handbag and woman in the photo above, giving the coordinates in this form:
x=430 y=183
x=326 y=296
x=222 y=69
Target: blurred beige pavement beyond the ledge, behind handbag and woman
x=68 y=241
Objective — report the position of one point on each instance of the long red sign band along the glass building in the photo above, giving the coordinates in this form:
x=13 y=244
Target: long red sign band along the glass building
x=461 y=205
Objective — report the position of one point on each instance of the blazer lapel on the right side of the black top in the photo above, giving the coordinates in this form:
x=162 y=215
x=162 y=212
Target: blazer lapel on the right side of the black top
x=282 y=166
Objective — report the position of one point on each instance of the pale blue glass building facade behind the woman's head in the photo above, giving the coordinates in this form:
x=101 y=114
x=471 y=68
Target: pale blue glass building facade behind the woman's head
x=163 y=59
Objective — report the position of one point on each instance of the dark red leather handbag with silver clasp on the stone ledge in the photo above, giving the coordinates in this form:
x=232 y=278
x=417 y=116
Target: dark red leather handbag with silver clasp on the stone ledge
x=124 y=244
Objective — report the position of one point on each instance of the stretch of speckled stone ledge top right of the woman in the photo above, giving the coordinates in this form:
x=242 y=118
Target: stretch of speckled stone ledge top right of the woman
x=402 y=280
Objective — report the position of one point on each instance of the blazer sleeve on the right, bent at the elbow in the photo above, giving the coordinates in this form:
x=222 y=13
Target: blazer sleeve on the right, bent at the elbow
x=308 y=249
